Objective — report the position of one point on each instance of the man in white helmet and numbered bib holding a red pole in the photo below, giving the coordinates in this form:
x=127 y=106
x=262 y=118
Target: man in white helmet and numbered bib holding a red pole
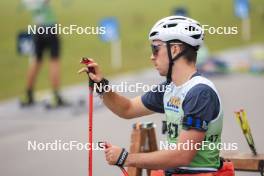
x=190 y=102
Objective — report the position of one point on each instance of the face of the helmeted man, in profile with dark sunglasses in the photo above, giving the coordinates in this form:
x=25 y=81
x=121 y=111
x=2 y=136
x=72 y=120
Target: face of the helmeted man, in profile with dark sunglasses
x=159 y=57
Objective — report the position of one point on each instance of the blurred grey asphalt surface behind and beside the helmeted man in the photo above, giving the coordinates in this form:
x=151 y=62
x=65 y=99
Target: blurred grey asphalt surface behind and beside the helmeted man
x=18 y=126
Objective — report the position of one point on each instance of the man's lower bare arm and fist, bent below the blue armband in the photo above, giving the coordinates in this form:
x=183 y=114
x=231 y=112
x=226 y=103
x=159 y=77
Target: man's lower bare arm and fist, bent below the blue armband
x=163 y=159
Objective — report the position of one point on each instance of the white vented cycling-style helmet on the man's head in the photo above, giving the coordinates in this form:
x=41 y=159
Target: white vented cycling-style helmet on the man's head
x=180 y=28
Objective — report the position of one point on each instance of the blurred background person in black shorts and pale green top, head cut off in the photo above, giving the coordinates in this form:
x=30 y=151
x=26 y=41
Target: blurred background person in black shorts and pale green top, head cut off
x=43 y=16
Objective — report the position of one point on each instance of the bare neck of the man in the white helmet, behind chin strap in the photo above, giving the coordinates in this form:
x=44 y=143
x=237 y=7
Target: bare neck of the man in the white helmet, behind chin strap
x=182 y=72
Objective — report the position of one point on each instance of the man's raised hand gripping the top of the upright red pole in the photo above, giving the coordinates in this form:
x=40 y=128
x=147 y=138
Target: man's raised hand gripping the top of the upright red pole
x=97 y=75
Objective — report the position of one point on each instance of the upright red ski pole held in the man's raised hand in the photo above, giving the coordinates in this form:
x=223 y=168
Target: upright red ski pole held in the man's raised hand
x=86 y=61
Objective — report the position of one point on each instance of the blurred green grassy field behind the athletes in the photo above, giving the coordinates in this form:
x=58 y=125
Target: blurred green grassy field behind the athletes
x=136 y=19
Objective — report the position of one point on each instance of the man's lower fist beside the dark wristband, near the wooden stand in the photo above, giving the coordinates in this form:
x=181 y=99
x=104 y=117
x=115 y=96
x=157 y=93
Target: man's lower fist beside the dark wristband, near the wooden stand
x=112 y=153
